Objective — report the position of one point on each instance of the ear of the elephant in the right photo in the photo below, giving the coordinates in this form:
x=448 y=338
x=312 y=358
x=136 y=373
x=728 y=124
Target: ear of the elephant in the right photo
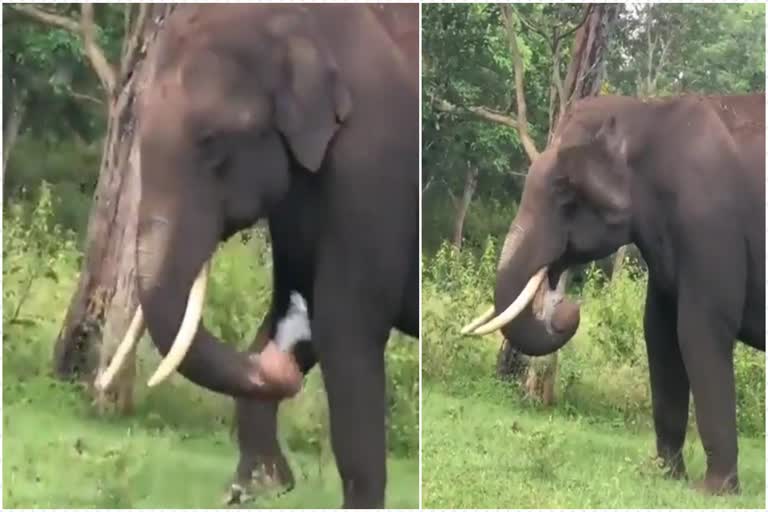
x=598 y=171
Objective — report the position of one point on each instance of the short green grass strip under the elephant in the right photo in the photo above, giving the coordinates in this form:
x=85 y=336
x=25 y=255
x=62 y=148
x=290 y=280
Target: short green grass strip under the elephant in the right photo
x=486 y=449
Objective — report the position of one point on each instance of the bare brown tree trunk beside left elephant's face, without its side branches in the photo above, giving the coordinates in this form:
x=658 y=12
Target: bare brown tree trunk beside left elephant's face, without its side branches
x=105 y=299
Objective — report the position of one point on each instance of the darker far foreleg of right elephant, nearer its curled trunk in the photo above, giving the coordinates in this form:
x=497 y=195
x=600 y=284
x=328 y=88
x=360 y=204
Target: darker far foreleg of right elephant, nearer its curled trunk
x=670 y=390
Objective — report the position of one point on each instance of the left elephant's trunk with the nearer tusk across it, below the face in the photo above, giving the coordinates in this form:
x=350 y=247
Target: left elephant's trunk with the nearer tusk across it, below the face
x=171 y=255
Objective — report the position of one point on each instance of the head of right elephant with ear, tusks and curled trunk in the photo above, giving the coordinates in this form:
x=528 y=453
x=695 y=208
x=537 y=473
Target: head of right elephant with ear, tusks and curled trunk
x=575 y=208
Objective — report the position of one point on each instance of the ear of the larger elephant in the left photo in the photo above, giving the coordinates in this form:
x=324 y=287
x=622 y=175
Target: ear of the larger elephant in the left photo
x=311 y=102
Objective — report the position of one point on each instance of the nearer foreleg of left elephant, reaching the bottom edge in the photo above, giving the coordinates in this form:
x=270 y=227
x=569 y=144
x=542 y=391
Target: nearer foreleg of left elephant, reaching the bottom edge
x=350 y=336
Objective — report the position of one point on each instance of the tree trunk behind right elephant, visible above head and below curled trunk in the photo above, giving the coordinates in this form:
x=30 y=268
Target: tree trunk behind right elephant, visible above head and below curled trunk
x=584 y=77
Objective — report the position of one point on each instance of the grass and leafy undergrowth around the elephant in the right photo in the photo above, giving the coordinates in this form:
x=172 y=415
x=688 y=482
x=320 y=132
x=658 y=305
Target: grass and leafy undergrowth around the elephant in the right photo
x=484 y=445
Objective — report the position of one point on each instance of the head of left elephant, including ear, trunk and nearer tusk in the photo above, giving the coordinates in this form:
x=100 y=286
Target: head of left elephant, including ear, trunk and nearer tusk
x=226 y=123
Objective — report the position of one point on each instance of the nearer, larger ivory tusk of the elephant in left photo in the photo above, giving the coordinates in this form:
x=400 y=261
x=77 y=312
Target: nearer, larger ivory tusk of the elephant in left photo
x=187 y=331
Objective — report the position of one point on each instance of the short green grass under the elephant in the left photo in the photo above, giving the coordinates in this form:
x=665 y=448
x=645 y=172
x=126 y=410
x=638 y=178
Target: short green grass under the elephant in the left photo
x=58 y=453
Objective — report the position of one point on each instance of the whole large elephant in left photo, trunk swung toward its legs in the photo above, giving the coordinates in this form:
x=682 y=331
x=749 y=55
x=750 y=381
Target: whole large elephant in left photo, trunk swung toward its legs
x=306 y=116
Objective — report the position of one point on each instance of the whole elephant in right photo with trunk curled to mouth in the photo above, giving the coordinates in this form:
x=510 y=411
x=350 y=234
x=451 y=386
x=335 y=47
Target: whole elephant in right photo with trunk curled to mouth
x=683 y=179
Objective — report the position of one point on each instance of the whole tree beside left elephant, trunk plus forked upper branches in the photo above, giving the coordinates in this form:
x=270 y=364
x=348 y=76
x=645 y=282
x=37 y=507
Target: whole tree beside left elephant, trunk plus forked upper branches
x=100 y=309
